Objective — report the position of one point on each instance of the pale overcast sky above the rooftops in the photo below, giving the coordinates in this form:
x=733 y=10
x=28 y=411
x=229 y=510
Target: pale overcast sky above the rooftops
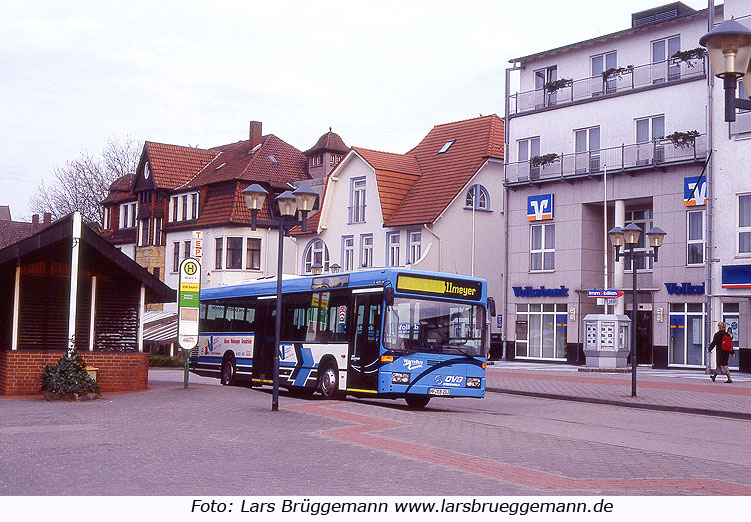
x=381 y=74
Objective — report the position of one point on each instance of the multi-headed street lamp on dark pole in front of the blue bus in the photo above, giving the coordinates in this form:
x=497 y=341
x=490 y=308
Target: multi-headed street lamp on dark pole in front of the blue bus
x=302 y=199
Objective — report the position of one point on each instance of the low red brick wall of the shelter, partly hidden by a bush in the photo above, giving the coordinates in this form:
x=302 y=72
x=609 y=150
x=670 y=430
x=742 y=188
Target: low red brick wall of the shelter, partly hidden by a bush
x=21 y=371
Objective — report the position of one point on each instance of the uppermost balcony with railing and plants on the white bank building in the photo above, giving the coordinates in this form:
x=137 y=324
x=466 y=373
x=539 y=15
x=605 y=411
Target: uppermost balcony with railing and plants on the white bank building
x=624 y=80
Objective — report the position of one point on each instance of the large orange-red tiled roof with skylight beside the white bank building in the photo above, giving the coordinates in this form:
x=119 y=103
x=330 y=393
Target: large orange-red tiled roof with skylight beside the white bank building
x=444 y=175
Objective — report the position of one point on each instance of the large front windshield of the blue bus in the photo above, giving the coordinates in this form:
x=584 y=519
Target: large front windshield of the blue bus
x=418 y=325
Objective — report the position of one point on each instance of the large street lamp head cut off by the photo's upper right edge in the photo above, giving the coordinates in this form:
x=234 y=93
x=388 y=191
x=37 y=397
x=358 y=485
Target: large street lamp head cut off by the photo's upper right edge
x=729 y=49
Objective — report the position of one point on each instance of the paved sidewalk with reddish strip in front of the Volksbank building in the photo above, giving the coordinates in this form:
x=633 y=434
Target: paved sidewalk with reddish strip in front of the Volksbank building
x=687 y=391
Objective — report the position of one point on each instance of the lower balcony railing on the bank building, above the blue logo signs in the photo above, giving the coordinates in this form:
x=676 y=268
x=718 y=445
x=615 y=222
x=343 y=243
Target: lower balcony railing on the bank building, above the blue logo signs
x=625 y=158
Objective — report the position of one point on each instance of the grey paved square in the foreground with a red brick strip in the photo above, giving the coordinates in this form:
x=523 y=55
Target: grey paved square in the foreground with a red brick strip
x=214 y=440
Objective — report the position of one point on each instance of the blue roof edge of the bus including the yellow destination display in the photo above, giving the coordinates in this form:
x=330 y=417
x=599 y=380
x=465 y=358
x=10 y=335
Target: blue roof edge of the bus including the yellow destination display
x=411 y=283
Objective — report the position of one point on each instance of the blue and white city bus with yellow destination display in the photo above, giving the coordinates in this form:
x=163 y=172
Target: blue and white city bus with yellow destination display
x=386 y=333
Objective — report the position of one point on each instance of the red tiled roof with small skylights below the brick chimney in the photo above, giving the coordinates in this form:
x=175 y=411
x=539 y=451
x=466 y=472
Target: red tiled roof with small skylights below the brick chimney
x=274 y=161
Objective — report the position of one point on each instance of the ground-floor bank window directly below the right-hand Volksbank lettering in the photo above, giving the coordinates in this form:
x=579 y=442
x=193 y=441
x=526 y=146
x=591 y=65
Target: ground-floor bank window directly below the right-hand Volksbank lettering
x=686 y=334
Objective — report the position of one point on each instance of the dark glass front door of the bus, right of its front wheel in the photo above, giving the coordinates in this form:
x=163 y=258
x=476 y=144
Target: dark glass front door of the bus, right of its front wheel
x=364 y=348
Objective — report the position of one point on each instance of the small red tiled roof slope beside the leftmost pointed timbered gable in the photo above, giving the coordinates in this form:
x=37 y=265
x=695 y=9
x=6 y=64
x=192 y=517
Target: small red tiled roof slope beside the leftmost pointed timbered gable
x=173 y=165
